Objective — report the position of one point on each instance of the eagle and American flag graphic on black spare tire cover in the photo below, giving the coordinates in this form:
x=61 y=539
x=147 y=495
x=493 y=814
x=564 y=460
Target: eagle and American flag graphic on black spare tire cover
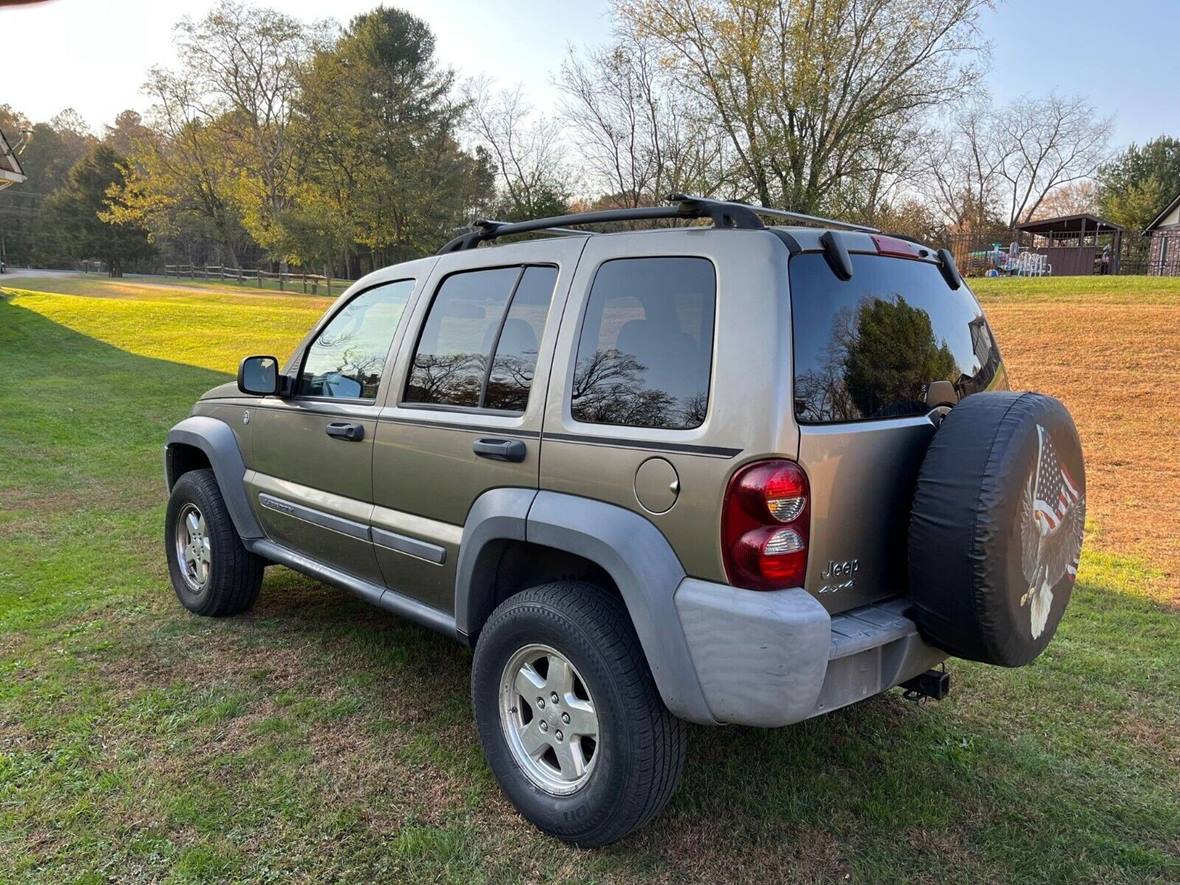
x=1053 y=516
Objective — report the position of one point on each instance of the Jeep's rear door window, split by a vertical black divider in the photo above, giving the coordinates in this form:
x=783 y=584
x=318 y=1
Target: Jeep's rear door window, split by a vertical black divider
x=480 y=344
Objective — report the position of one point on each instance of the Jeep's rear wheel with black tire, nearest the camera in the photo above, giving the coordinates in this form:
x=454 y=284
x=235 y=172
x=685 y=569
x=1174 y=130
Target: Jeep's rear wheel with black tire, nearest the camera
x=607 y=756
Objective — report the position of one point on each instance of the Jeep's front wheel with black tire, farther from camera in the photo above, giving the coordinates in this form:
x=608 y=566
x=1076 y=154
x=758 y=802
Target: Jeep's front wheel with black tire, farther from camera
x=213 y=574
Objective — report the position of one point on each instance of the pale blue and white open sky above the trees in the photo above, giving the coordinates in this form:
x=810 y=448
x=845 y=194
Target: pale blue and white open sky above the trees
x=94 y=55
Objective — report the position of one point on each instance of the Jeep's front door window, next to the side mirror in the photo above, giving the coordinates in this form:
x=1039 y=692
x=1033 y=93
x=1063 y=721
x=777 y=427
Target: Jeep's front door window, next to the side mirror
x=348 y=359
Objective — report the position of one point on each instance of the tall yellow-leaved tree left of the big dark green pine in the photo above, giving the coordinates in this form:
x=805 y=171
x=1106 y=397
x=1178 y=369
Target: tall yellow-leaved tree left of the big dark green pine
x=225 y=160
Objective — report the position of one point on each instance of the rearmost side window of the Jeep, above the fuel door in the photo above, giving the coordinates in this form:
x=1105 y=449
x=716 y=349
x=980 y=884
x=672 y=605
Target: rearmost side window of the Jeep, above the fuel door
x=646 y=348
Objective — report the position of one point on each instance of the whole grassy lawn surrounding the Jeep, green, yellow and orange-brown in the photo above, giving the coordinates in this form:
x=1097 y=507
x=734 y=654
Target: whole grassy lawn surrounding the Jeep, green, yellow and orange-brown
x=318 y=739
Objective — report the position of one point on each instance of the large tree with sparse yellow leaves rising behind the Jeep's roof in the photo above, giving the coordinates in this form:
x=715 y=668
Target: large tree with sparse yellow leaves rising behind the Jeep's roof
x=817 y=100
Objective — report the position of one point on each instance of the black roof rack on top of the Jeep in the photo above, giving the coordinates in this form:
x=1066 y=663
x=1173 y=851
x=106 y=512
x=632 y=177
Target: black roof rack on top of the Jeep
x=724 y=214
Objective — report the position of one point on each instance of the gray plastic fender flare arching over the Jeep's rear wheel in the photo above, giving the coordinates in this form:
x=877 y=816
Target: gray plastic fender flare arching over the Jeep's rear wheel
x=630 y=548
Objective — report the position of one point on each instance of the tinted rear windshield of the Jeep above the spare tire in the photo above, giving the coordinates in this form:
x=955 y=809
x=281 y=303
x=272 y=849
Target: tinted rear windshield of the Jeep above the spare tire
x=868 y=348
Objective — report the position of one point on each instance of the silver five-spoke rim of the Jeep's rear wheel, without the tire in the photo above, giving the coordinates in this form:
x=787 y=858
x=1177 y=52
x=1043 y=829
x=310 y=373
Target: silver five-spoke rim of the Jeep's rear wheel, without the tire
x=549 y=719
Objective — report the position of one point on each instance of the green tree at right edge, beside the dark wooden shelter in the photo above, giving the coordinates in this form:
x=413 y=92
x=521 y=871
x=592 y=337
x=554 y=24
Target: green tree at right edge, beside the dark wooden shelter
x=1138 y=183
